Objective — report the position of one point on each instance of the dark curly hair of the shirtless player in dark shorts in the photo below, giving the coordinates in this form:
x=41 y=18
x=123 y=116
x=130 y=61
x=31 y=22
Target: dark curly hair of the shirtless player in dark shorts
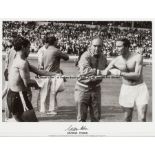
x=20 y=42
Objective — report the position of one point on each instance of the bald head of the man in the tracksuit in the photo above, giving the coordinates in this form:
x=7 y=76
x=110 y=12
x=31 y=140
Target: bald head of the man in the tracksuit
x=96 y=46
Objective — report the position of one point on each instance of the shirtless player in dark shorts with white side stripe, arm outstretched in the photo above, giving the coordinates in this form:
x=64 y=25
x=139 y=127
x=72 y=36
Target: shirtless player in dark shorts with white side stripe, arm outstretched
x=19 y=79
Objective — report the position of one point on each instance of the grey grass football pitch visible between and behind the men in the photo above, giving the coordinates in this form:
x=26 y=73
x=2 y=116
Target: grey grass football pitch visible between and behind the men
x=111 y=111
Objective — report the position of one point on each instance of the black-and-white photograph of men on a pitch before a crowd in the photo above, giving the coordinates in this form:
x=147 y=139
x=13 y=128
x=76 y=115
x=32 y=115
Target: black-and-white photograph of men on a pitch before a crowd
x=76 y=71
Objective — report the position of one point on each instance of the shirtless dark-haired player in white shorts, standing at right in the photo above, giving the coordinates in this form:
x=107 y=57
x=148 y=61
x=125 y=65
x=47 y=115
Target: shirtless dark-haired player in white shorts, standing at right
x=129 y=65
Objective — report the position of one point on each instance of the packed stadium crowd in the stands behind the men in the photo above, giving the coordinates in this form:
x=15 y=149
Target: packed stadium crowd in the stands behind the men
x=74 y=38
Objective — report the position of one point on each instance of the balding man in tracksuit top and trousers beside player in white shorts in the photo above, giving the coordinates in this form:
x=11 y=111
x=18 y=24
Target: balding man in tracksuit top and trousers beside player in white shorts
x=88 y=91
